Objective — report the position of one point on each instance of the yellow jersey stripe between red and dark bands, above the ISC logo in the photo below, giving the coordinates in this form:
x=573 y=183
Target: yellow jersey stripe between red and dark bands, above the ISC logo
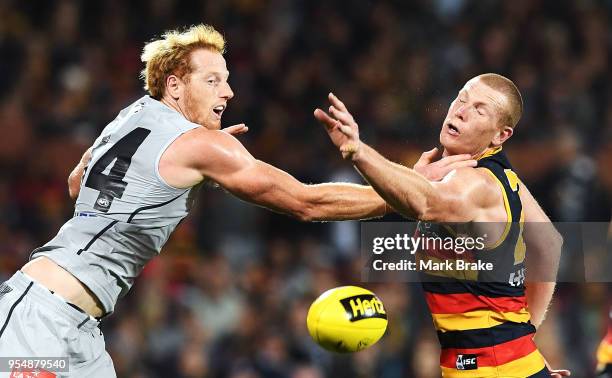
x=477 y=319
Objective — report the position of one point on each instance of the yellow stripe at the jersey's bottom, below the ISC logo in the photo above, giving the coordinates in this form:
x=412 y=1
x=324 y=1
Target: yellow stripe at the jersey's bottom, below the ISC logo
x=521 y=368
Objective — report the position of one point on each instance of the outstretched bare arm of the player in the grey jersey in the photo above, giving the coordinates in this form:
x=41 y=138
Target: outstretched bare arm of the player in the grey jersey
x=220 y=157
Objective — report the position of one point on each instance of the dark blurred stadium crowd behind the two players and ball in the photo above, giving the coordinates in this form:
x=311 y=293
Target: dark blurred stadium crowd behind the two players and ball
x=229 y=294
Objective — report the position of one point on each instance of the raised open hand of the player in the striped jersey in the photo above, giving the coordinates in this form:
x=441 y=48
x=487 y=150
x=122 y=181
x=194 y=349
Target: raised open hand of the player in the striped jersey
x=341 y=127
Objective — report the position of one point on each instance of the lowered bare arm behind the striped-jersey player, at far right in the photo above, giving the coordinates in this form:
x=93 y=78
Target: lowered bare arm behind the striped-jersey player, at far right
x=542 y=259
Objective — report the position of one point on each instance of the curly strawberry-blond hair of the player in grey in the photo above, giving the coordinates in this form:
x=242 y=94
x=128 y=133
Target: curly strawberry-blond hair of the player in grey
x=170 y=55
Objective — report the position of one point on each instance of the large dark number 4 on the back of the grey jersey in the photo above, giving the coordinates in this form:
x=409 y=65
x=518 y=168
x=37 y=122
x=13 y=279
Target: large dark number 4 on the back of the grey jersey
x=111 y=185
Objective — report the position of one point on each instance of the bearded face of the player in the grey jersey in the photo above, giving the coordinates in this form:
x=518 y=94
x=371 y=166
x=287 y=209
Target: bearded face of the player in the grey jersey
x=206 y=92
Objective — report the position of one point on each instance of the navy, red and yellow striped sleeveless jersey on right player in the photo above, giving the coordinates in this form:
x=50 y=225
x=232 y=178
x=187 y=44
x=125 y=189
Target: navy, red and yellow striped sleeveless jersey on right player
x=483 y=325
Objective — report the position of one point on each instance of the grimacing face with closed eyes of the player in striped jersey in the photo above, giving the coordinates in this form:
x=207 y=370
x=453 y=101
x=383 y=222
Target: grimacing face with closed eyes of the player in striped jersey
x=472 y=123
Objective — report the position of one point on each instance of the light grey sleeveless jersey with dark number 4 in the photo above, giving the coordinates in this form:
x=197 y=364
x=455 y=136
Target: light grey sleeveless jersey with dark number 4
x=125 y=212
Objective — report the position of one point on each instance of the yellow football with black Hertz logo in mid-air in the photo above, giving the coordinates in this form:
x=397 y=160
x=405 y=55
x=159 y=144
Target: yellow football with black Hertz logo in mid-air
x=346 y=319
